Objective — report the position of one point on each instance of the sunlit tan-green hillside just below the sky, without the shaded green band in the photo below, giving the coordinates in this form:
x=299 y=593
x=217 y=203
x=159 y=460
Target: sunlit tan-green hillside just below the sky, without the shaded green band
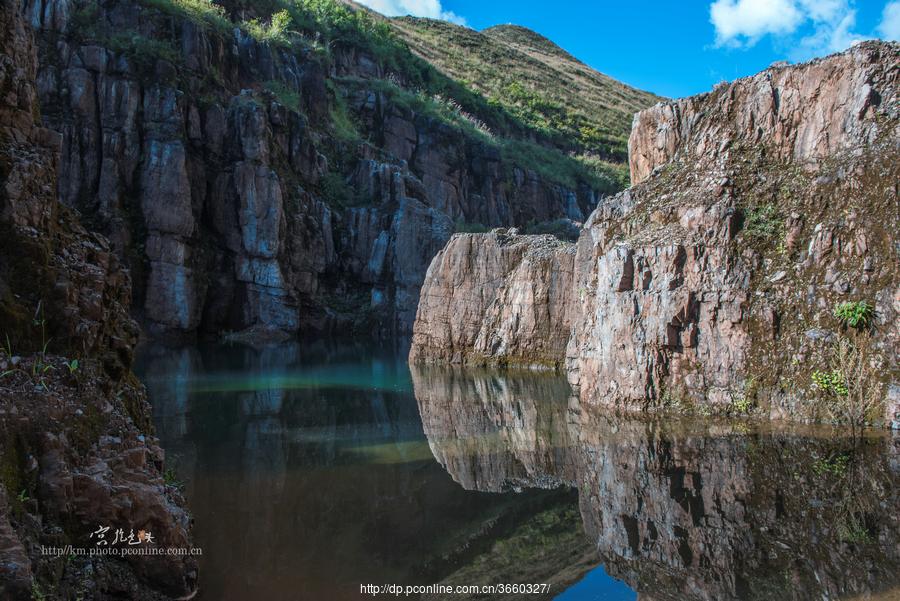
x=578 y=109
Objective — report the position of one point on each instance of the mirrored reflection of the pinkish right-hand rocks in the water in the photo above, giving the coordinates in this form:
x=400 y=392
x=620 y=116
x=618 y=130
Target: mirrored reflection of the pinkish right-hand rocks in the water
x=681 y=510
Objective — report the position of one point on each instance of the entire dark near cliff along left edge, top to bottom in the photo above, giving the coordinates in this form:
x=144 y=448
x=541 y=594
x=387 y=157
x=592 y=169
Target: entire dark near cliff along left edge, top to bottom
x=75 y=449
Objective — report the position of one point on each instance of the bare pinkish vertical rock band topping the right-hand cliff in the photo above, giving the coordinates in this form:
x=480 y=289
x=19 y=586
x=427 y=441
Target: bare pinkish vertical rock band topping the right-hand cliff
x=801 y=114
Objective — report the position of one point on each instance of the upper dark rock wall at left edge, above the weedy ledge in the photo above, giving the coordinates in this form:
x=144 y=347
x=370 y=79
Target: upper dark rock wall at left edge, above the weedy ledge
x=52 y=271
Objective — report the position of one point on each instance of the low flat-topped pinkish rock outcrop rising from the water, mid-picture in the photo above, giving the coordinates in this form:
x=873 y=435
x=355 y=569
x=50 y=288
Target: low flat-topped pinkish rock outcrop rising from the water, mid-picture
x=495 y=296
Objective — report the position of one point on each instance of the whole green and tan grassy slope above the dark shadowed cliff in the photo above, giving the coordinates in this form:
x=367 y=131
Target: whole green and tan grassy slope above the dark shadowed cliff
x=570 y=137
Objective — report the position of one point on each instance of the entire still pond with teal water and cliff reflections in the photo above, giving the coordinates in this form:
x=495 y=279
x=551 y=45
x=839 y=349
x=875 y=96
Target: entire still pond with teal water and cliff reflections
x=313 y=470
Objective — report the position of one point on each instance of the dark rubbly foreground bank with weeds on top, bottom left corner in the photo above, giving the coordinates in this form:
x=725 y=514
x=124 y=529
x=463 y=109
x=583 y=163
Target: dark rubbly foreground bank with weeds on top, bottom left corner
x=77 y=456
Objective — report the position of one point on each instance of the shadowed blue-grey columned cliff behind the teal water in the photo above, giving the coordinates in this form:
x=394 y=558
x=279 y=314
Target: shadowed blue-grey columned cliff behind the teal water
x=213 y=162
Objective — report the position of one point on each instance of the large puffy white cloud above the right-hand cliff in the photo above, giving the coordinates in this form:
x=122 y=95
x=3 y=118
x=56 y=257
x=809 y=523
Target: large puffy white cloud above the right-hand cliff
x=830 y=23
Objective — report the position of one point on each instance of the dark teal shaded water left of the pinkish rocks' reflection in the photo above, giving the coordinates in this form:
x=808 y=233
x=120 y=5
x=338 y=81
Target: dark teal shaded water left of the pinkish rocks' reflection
x=308 y=474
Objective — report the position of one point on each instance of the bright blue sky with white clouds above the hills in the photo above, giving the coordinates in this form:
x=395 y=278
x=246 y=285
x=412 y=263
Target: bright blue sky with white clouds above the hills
x=678 y=48
